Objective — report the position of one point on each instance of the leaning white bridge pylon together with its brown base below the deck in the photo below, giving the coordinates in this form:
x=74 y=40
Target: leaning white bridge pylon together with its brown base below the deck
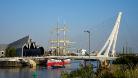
x=109 y=45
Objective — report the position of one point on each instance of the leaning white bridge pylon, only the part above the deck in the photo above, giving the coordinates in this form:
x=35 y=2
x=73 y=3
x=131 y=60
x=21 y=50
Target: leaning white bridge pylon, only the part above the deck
x=110 y=44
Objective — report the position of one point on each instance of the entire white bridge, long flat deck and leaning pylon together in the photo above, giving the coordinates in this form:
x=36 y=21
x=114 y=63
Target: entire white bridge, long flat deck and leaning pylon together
x=102 y=55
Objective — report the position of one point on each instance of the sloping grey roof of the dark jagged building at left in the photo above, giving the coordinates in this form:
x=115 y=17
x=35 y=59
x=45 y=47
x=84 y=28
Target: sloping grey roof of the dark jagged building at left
x=20 y=43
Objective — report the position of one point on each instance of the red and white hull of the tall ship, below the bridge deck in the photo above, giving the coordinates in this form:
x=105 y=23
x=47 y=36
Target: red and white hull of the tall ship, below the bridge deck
x=52 y=62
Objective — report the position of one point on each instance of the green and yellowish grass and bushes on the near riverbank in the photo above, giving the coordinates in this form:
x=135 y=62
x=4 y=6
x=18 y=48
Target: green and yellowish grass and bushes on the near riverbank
x=123 y=67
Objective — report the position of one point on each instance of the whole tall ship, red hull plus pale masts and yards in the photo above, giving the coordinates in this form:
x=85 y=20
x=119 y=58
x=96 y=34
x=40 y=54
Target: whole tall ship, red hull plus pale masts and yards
x=59 y=47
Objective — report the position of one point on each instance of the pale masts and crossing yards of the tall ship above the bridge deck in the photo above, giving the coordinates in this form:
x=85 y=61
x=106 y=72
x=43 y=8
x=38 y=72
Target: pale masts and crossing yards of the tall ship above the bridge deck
x=60 y=44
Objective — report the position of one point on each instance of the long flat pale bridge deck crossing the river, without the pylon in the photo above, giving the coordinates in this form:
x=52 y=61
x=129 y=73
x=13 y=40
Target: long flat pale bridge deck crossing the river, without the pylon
x=63 y=57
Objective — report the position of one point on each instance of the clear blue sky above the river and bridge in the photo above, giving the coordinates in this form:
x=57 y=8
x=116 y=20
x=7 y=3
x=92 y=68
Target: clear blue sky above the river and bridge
x=38 y=18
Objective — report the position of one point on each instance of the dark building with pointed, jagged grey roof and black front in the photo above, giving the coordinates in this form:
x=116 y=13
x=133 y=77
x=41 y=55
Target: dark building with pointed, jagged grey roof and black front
x=26 y=47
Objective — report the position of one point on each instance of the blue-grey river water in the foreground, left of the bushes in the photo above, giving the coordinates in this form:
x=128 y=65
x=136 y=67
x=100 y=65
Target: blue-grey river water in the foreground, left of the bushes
x=38 y=72
